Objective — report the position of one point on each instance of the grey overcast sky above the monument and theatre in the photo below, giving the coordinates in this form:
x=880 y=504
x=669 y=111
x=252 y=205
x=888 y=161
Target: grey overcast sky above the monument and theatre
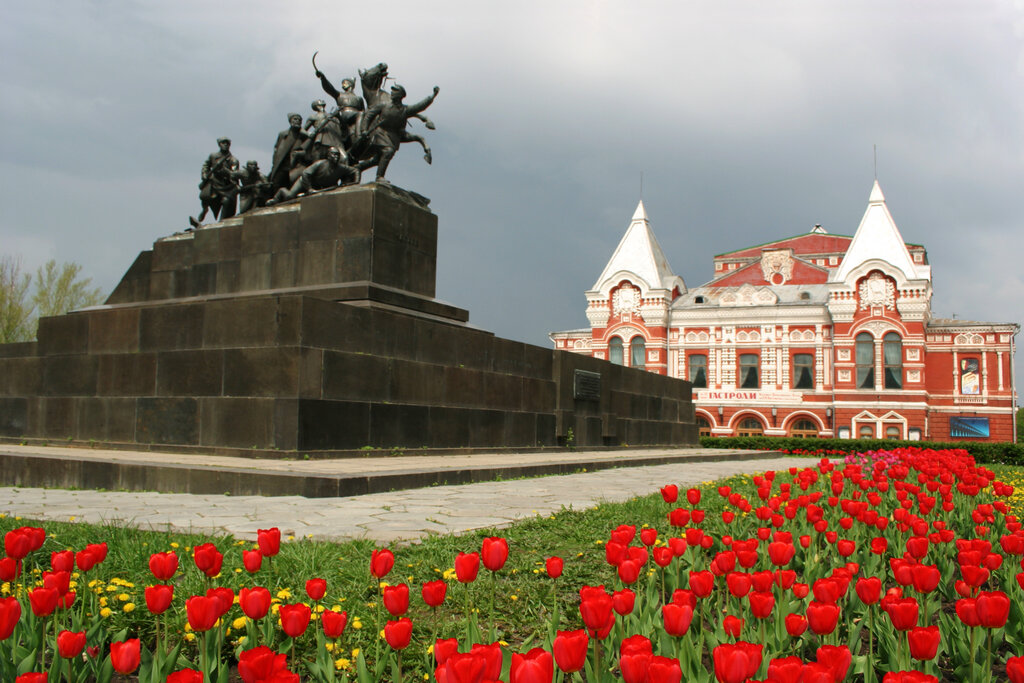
x=750 y=121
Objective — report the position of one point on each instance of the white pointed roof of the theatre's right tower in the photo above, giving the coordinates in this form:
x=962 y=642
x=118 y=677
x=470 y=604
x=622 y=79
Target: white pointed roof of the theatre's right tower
x=879 y=239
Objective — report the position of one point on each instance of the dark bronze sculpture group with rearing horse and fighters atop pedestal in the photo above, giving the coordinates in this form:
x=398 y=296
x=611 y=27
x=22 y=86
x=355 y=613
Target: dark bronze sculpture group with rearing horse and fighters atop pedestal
x=329 y=150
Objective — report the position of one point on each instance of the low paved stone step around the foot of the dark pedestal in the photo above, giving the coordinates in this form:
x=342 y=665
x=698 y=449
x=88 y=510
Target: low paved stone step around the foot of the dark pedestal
x=62 y=467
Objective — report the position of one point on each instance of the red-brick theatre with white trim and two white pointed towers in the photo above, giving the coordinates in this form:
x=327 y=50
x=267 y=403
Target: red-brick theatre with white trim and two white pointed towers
x=817 y=335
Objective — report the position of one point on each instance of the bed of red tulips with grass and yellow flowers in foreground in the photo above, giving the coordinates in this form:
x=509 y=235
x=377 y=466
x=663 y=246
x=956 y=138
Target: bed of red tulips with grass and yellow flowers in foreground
x=903 y=566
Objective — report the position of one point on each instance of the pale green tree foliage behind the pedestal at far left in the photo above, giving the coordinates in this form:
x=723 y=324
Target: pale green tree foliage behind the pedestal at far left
x=56 y=289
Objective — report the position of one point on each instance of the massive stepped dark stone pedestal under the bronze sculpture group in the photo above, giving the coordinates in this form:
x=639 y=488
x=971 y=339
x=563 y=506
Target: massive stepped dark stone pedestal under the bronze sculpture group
x=312 y=326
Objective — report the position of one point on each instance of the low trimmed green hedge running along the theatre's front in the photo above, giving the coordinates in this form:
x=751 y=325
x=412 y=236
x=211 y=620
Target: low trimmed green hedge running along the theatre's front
x=1004 y=453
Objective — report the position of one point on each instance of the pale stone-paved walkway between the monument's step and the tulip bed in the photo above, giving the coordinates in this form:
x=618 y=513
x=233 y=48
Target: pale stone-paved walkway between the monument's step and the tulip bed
x=403 y=516
